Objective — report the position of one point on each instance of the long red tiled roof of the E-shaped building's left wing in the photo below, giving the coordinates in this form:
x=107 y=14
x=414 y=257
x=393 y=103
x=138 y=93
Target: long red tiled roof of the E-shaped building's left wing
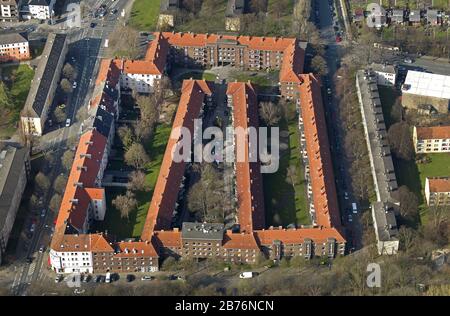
x=171 y=173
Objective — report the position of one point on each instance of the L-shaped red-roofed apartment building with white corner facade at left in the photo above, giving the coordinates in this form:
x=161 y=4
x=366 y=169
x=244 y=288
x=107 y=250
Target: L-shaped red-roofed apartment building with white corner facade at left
x=73 y=248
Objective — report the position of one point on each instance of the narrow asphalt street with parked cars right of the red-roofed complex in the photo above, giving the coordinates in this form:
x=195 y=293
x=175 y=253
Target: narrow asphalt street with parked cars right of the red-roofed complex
x=335 y=127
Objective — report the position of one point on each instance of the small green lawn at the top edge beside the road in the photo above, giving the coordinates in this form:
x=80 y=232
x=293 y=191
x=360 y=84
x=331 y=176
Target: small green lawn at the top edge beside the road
x=144 y=14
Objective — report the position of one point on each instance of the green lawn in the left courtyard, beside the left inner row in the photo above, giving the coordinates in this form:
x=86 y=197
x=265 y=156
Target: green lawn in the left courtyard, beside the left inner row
x=133 y=228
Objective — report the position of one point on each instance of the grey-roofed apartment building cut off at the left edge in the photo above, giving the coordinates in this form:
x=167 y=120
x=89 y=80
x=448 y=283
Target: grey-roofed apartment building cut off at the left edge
x=14 y=171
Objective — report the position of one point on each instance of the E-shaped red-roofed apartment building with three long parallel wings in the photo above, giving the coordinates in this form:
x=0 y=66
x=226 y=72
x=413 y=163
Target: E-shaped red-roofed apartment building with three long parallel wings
x=201 y=240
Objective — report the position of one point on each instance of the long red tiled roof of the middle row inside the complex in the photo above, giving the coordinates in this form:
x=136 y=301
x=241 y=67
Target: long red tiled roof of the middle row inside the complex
x=248 y=174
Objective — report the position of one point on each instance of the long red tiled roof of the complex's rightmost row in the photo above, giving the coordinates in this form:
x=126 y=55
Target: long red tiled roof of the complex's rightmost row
x=318 y=149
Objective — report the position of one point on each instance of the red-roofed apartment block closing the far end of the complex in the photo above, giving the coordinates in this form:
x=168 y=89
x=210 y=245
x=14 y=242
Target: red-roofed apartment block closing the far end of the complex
x=244 y=52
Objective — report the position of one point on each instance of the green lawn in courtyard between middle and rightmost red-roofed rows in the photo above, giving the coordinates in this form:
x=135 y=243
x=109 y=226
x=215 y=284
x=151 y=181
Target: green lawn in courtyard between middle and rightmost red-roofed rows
x=284 y=204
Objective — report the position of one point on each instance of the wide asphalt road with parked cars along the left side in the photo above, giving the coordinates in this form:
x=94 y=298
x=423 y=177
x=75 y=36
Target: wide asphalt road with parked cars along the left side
x=86 y=46
